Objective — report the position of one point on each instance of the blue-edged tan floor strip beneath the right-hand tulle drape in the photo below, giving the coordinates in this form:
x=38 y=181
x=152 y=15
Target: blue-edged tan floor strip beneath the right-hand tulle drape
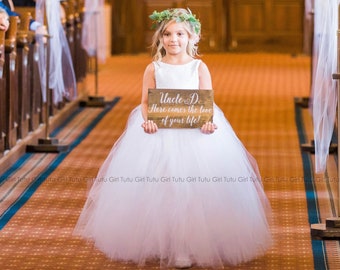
x=321 y=192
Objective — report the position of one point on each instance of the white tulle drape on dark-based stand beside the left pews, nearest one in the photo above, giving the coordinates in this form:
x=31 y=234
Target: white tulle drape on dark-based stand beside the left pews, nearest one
x=56 y=69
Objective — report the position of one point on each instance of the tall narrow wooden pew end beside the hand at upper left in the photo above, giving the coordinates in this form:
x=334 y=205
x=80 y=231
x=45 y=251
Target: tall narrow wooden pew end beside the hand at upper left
x=11 y=92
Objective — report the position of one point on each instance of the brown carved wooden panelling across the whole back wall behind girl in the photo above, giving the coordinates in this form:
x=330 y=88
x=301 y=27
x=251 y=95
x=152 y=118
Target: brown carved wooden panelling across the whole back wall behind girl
x=241 y=25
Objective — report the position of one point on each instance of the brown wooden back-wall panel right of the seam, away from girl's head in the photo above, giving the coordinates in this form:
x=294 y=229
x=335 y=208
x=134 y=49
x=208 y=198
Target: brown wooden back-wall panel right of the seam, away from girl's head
x=267 y=25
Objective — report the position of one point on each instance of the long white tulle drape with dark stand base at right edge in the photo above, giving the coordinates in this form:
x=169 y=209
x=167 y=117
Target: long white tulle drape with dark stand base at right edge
x=326 y=99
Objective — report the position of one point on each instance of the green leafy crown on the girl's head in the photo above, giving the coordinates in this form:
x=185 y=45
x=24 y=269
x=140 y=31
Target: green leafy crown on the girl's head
x=172 y=14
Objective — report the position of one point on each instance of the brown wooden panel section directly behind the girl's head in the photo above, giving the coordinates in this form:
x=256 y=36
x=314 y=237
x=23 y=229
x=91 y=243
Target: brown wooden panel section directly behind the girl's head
x=131 y=26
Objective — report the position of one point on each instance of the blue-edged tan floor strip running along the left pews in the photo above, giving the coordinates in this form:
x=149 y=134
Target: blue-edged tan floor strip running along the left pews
x=20 y=181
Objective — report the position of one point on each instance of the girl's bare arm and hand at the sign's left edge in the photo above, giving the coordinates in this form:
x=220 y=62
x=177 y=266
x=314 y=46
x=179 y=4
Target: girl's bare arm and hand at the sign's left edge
x=148 y=82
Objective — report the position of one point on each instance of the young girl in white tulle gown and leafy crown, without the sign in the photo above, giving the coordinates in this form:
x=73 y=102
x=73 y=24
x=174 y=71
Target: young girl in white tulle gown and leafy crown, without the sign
x=182 y=196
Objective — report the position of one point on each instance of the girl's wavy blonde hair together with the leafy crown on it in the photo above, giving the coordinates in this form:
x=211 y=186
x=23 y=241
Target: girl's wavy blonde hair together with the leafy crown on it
x=179 y=15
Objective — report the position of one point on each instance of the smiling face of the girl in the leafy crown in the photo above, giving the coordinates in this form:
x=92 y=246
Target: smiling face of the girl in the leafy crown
x=175 y=39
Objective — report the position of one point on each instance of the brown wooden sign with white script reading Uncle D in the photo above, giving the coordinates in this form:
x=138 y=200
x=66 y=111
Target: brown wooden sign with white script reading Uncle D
x=180 y=108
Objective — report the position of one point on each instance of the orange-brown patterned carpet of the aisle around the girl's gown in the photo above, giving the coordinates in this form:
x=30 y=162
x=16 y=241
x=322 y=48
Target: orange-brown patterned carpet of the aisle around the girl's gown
x=256 y=93
